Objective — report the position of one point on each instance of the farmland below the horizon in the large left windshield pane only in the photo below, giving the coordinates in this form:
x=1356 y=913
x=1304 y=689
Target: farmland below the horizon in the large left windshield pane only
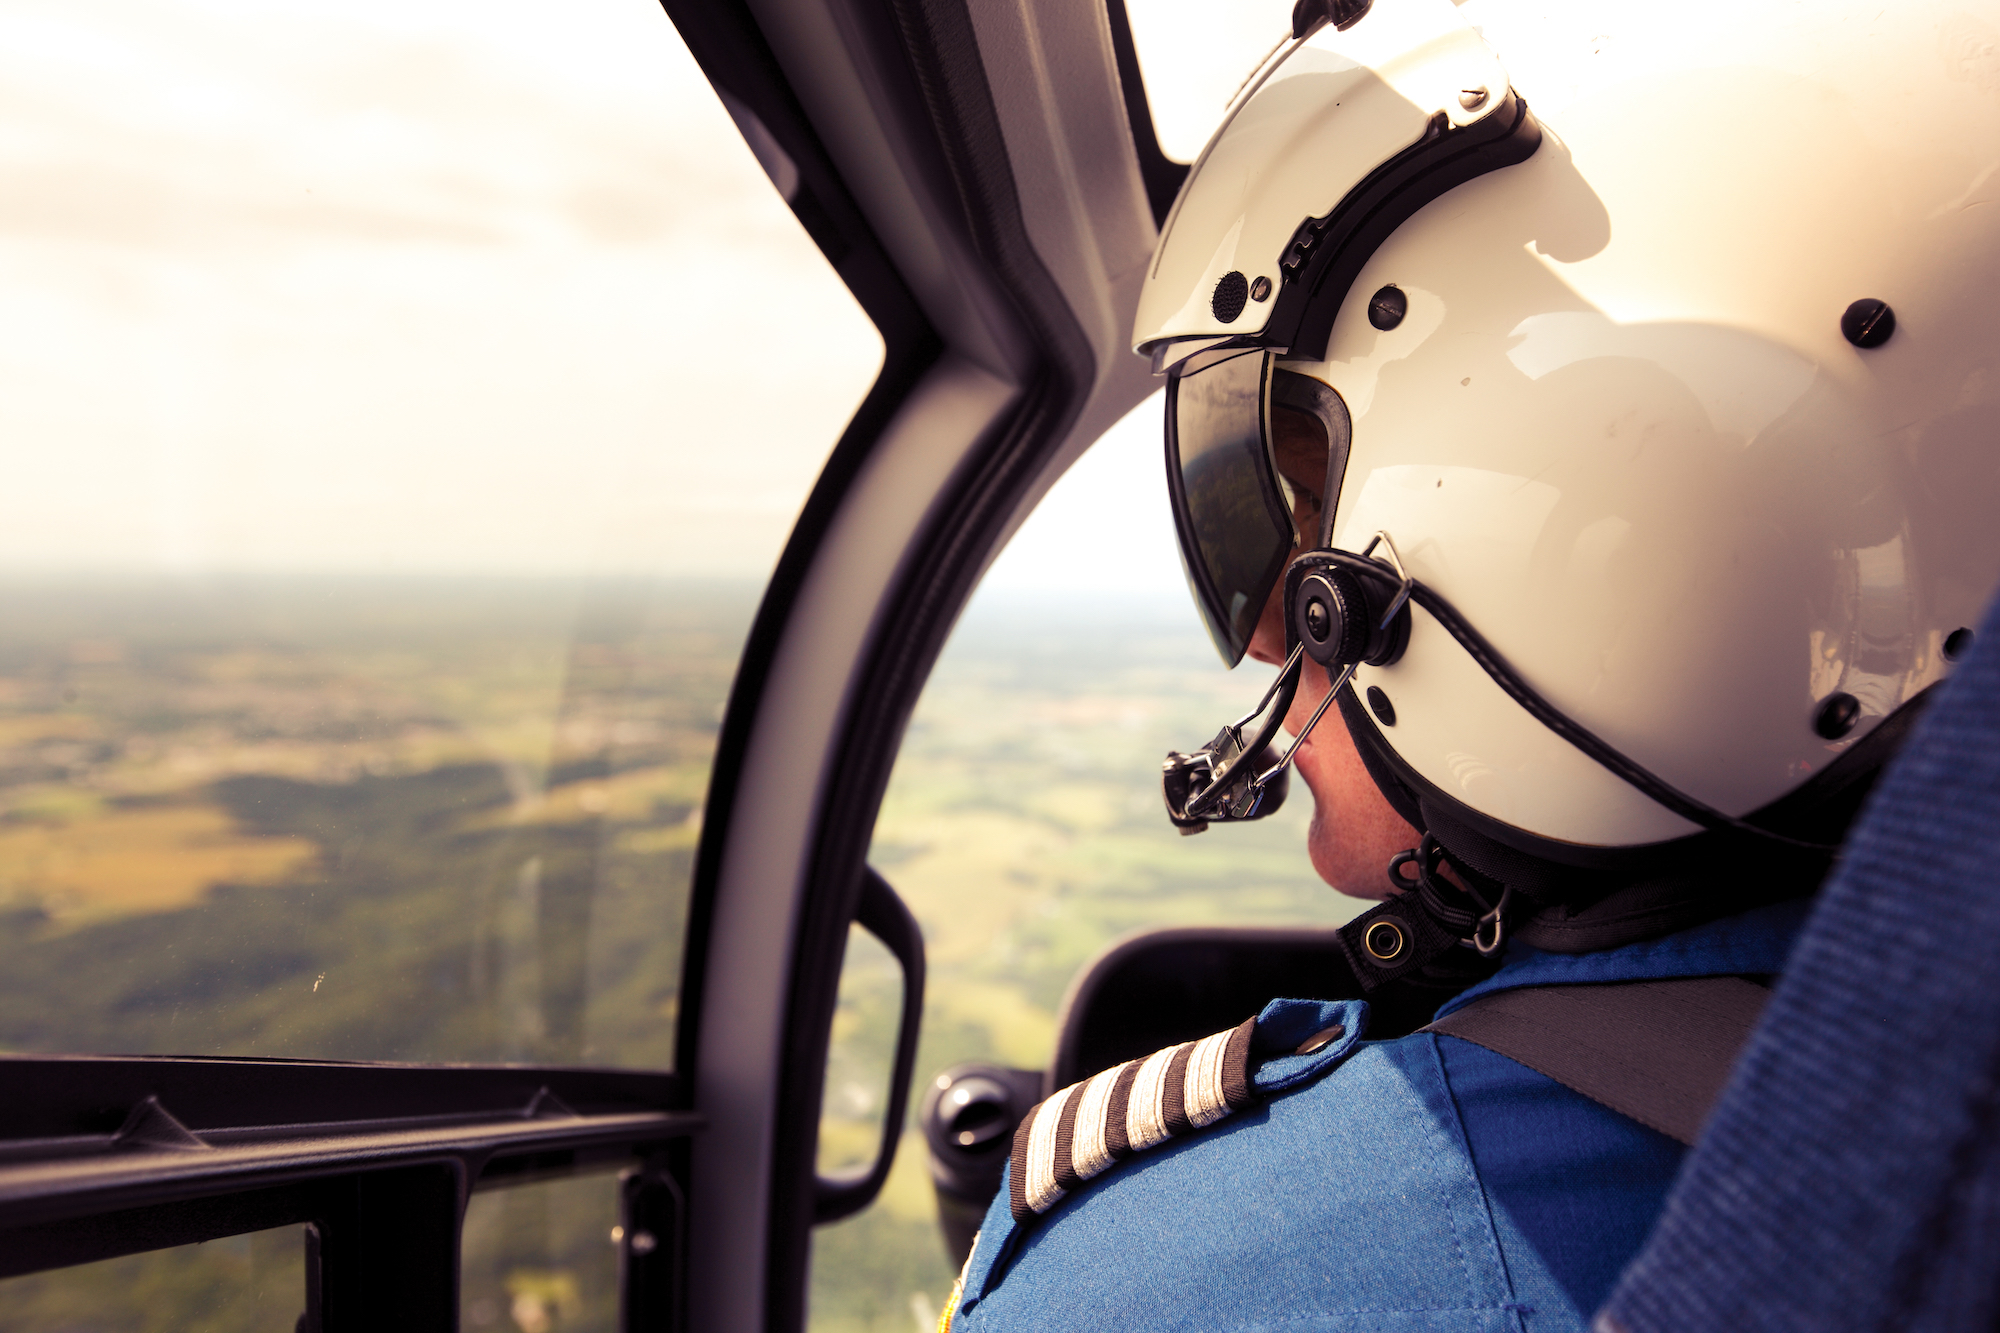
x=353 y=822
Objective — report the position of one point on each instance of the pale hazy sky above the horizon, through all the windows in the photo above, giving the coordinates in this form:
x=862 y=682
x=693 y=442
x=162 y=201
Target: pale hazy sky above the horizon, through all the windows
x=429 y=285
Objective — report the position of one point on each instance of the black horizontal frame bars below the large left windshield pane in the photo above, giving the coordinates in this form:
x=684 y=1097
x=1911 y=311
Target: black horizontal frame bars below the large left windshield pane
x=109 y=1156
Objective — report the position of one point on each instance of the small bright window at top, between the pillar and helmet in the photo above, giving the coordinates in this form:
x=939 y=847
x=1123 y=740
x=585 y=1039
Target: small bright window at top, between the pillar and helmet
x=1197 y=57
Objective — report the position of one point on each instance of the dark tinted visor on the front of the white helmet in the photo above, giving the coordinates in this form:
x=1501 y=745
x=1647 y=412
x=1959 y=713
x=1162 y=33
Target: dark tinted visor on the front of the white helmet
x=1229 y=511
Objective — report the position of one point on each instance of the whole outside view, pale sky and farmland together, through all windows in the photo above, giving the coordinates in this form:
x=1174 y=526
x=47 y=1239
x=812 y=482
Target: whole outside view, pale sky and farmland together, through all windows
x=339 y=810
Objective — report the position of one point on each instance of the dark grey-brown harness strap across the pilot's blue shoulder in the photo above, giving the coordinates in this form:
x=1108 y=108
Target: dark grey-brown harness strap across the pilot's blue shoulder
x=1657 y=1052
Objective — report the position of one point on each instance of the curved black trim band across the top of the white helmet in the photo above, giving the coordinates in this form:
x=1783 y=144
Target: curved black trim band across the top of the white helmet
x=1327 y=255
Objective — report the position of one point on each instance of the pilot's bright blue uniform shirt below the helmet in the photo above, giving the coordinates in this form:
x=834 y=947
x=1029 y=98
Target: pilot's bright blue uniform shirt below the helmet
x=1415 y=1184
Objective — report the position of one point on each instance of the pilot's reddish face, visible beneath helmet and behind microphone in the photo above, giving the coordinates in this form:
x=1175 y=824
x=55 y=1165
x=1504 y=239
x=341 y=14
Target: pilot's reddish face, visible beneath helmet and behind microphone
x=1355 y=830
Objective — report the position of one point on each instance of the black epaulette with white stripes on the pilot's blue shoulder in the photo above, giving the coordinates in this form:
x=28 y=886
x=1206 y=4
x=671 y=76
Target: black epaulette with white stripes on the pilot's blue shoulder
x=1089 y=1126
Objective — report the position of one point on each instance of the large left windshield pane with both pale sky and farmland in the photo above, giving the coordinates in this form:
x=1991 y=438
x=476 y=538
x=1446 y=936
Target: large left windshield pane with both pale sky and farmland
x=393 y=473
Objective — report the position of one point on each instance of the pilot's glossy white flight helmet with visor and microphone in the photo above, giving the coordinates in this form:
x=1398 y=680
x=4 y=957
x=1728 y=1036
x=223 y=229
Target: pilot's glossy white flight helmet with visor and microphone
x=1671 y=407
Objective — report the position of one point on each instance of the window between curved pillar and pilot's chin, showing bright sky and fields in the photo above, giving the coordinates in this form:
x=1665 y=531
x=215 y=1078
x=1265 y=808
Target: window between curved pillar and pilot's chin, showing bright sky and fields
x=1023 y=828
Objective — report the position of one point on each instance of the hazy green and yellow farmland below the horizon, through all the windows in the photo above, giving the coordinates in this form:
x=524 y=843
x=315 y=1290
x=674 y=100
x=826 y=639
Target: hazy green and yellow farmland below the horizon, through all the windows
x=457 y=822
